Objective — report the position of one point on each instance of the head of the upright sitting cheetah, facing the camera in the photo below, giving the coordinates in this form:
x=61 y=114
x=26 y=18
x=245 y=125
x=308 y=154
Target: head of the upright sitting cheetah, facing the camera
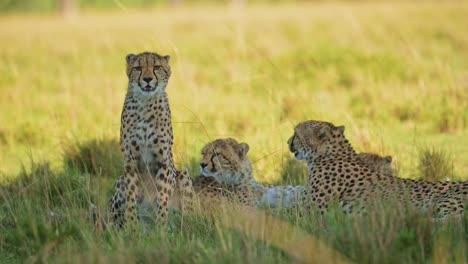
x=148 y=73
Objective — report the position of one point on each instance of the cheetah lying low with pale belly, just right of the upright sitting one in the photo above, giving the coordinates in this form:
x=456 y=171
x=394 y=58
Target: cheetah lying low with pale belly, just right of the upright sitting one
x=227 y=170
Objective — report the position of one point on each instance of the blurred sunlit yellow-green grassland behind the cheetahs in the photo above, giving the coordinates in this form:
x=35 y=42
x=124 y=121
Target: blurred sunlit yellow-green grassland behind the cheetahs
x=394 y=73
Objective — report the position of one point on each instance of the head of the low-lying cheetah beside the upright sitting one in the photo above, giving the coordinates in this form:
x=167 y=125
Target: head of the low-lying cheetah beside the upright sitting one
x=226 y=160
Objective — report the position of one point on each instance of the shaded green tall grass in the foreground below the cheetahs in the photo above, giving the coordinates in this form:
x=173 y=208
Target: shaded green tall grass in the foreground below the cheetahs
x=45 y=217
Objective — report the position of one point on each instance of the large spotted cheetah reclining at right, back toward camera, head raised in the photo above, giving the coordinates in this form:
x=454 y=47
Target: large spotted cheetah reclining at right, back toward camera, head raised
x=337 y=175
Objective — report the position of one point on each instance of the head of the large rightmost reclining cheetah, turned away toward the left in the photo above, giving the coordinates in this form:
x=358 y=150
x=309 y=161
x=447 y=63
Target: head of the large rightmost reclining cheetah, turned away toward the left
x=314 y=138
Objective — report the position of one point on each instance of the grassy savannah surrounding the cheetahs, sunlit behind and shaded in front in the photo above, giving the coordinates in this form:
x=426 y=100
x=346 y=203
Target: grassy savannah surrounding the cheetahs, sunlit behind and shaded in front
x=394 y=74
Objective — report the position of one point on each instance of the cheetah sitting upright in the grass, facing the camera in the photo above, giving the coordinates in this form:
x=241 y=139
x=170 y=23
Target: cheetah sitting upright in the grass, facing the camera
x=146 y=141
